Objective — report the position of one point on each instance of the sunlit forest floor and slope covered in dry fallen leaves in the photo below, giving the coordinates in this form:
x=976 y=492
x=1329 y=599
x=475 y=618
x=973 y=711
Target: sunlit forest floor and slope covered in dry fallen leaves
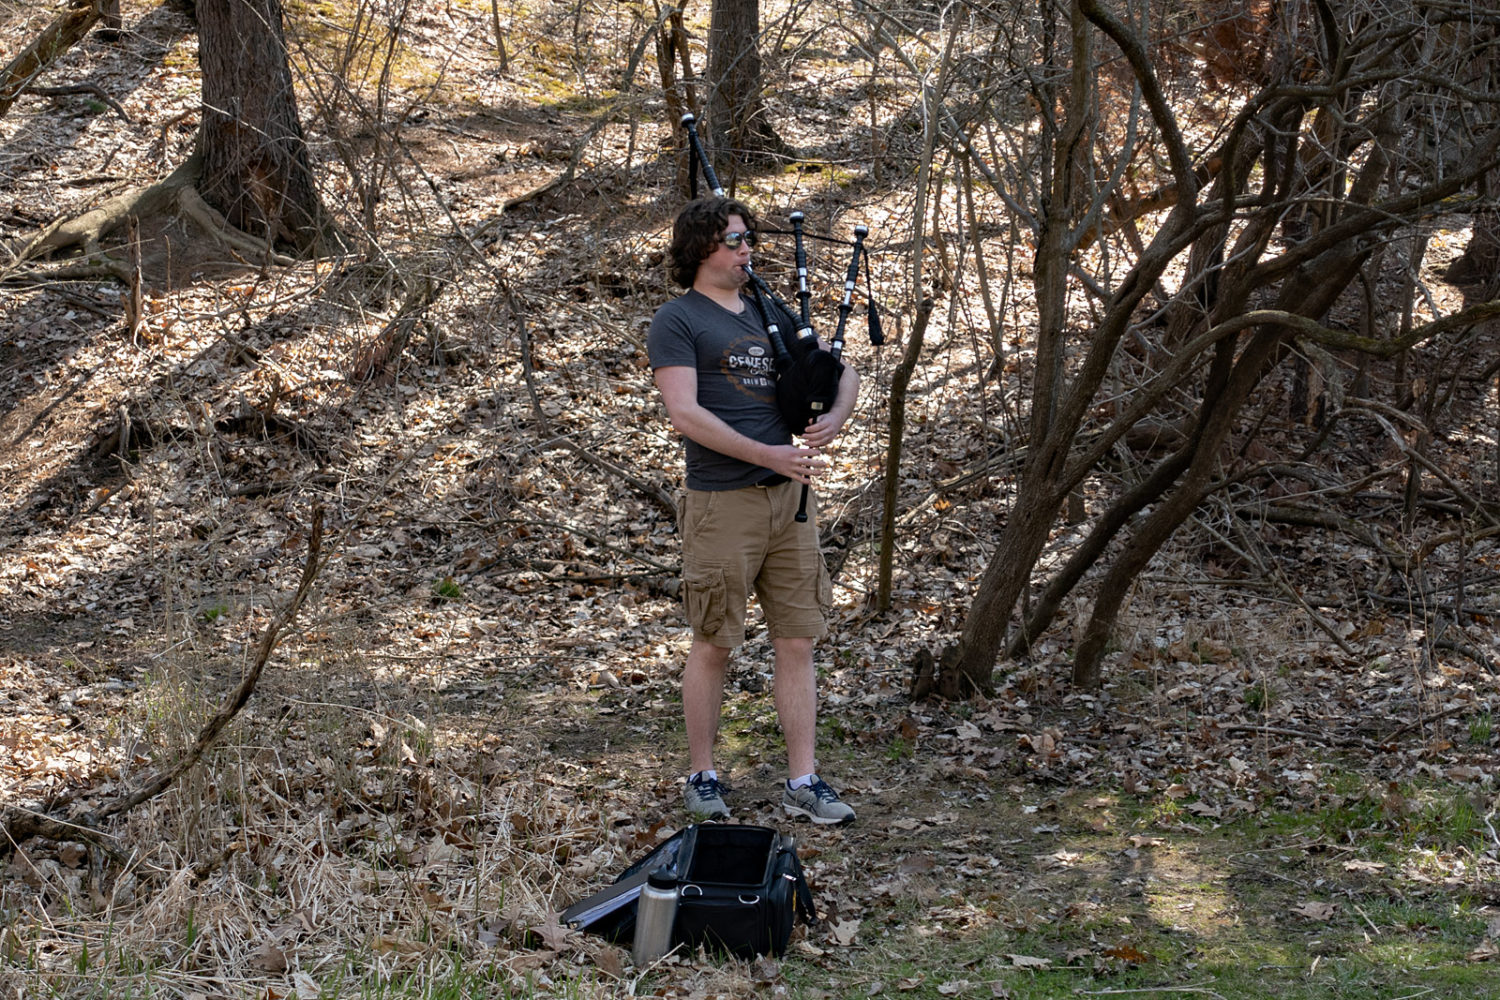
x=1280 y=789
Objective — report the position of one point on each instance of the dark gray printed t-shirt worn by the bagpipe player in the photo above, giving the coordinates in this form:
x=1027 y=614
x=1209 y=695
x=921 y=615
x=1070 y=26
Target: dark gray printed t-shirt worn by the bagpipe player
x=736 y=380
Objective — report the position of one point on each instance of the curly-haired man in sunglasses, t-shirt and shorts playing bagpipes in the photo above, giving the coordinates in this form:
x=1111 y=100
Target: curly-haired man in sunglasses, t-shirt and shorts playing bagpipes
x=715 y=355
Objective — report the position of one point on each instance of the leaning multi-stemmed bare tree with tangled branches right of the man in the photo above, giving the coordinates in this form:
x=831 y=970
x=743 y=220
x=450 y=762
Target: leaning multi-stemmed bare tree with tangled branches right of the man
x=1199 y=355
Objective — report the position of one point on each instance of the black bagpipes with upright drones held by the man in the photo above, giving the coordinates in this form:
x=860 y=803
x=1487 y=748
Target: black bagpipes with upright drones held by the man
x=806 y=374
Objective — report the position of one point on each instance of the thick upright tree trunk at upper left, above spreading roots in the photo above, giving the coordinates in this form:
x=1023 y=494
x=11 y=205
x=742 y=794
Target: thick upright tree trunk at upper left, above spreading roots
x=256 y=160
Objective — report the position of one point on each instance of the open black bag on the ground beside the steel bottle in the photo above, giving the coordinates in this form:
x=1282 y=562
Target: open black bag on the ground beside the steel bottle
x=740 y=891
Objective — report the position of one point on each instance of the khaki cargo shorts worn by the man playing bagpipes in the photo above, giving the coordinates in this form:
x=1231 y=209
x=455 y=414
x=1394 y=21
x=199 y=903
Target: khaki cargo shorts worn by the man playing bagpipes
x=736 y=542
